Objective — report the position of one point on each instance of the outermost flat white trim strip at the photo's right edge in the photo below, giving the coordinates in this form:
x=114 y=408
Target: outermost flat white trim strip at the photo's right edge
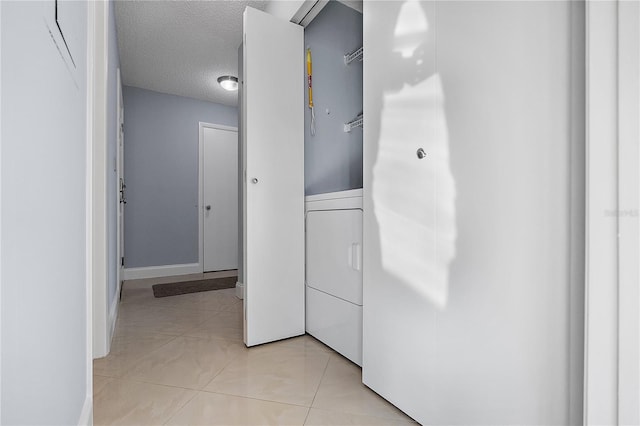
x=629 y=226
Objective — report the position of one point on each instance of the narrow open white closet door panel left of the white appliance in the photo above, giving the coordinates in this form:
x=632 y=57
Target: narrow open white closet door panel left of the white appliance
x=273 y=108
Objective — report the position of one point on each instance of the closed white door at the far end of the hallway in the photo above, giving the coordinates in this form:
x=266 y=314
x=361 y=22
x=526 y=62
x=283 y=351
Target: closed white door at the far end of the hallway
x=220 y=192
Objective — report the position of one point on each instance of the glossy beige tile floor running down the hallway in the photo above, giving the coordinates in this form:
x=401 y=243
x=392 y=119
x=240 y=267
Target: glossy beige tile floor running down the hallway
x=180 y=360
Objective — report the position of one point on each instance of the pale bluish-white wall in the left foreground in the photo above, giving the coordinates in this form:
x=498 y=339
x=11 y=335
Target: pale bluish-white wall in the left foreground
x=43 y=197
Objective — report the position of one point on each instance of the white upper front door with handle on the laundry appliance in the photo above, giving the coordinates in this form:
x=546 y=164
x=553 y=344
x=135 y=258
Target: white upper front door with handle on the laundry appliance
x=334 y=253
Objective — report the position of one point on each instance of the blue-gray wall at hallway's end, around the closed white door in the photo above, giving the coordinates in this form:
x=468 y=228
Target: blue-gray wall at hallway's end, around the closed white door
x=161 y=173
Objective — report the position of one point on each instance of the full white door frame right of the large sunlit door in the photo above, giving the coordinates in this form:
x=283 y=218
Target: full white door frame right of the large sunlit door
x=612 y=302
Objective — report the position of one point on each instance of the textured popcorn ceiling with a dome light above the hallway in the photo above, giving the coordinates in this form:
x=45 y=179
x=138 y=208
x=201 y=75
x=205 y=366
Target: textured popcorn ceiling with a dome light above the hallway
x=181 y=47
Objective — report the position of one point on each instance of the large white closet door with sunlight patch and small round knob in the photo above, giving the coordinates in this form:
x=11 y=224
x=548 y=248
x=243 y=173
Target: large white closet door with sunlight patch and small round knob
x=473 y=247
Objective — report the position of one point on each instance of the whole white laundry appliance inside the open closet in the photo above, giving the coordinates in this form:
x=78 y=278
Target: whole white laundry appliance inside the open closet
x=334 y=271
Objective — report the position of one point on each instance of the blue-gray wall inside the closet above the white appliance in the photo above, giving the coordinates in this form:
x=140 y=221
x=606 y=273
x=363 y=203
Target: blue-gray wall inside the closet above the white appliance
x=333 y=158
